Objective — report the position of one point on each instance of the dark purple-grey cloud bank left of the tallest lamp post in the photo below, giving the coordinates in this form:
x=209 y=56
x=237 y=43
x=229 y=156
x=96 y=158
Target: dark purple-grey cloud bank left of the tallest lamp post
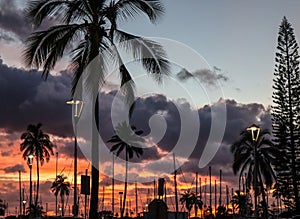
x=27 y=99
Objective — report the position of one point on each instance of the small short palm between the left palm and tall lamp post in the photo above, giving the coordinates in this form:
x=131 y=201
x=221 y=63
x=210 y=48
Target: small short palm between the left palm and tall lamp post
x=61 y=187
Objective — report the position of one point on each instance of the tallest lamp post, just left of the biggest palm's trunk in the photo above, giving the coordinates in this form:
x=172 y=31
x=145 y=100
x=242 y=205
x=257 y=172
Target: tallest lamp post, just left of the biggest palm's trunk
x=77 y=109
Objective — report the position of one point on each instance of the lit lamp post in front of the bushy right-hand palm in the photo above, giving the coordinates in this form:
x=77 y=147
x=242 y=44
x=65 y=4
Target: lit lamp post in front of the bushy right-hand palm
x=254 y=129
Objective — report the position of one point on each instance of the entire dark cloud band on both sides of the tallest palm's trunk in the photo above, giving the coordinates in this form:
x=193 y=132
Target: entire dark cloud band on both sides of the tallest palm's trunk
x=28 y=99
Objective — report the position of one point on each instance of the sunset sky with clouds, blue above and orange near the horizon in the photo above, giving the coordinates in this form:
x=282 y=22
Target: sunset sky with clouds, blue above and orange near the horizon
x=223 y=53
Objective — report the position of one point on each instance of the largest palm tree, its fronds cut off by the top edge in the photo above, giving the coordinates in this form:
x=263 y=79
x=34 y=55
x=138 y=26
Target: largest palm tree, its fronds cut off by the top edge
x=91 y=28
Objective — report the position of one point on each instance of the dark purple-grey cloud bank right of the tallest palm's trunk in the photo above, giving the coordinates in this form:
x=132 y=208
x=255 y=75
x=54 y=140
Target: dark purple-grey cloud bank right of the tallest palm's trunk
x=238 y=117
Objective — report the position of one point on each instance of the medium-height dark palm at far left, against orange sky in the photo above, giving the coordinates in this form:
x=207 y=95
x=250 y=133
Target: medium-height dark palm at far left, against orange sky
x=37 y=143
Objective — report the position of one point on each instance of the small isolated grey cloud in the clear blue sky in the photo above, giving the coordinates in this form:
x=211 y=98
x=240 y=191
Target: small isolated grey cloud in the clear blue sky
x=207 y=76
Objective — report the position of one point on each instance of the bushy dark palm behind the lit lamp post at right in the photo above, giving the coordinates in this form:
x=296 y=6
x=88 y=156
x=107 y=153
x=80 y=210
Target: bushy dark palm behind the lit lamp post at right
x=244 y=161
